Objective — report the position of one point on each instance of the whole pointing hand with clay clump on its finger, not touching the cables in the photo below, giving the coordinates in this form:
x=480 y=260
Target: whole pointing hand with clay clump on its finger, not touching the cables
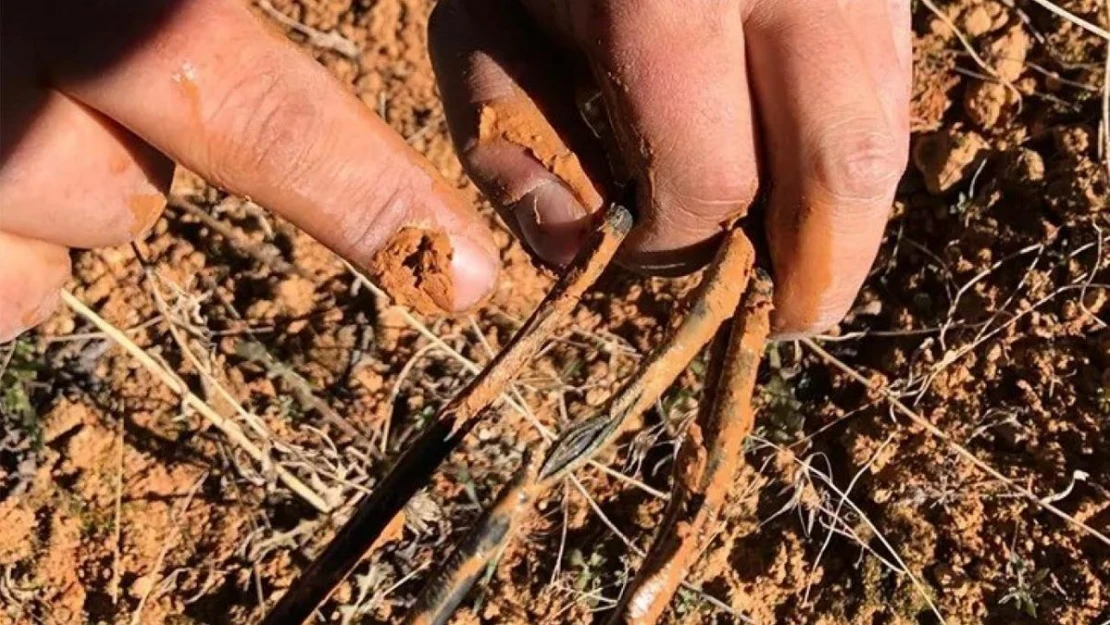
x=99 y=97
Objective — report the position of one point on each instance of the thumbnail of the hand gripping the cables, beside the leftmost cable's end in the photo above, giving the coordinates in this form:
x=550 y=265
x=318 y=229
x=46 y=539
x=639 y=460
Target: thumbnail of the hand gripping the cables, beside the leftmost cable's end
x=552 y=223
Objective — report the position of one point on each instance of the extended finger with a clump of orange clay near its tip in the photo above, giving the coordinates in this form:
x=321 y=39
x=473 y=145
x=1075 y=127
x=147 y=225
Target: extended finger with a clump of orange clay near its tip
x=214 y=89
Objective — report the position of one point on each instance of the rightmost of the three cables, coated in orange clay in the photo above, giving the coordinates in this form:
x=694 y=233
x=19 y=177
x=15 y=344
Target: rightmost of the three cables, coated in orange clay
x=707 y=465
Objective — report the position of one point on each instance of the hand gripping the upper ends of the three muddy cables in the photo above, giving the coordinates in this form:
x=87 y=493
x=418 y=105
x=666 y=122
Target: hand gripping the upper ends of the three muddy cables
x=694 y=94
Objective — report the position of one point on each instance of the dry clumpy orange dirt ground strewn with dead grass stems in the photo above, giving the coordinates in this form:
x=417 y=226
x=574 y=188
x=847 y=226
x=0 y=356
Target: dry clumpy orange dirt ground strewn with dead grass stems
x=987 y=311
